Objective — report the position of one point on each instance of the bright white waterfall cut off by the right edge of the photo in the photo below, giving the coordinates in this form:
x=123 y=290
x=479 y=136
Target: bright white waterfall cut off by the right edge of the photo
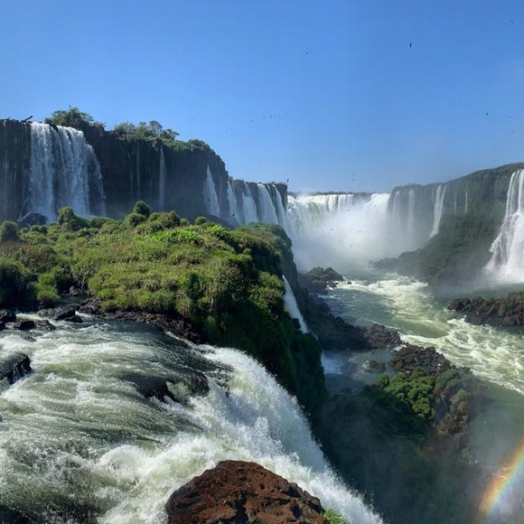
x=507 y=259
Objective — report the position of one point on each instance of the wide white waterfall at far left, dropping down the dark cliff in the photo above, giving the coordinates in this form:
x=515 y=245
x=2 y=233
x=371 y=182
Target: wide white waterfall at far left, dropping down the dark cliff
x=63 y=170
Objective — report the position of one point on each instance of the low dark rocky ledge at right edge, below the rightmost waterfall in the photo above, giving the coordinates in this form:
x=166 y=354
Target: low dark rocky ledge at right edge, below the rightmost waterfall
x=501 y=312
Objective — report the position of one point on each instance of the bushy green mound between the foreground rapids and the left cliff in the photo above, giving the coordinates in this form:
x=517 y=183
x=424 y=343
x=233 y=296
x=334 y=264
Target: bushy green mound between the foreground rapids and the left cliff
x=226 y=283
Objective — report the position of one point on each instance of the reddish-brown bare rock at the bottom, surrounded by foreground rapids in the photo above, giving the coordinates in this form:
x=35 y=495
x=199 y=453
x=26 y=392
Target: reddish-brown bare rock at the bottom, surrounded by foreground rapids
x=242 y=492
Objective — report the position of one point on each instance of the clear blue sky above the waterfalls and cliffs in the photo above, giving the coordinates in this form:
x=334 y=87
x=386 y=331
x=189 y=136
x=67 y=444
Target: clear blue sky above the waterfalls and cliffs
x=334 y=95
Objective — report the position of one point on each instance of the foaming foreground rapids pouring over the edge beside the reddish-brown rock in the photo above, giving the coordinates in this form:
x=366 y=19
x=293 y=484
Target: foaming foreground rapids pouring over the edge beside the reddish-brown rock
x=78 y=442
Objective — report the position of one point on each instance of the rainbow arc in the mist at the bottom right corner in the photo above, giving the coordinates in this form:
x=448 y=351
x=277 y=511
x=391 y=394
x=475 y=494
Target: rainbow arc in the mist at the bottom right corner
x=504 y=490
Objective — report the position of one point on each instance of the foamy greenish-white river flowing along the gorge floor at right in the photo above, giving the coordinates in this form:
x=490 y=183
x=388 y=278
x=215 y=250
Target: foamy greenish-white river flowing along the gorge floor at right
x=408 y=305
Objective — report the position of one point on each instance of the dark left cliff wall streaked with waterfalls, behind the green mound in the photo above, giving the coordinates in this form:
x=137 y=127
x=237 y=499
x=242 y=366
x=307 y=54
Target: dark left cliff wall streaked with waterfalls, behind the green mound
x=189 y=178
